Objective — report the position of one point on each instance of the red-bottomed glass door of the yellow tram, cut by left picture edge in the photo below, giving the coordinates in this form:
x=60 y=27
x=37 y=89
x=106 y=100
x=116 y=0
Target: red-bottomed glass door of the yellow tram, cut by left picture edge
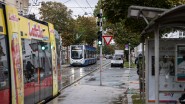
x=4 y=72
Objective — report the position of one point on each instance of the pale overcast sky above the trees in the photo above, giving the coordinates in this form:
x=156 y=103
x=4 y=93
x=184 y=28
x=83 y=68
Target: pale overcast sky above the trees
x=79 y=7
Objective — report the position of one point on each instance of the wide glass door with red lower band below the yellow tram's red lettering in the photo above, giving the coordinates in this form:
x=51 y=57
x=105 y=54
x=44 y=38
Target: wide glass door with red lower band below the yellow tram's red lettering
x=37 y=71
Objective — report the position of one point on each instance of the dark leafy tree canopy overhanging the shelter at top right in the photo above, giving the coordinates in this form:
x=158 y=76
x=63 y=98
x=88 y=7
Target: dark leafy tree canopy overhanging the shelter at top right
x=117 y=10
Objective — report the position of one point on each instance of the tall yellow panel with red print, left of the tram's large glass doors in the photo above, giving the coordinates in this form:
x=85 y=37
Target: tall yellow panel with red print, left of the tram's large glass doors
x=15 y=55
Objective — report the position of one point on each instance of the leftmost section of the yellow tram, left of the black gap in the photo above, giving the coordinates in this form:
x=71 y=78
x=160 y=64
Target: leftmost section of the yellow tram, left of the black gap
x=4 y=62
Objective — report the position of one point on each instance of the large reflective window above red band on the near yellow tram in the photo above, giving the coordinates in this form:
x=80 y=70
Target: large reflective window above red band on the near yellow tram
x=37 y=60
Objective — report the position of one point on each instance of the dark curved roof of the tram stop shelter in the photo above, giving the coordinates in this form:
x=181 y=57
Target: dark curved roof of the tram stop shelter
x=172 y=18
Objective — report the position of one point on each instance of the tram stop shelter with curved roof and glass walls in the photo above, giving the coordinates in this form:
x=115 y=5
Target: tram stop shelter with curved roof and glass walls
x=164 y=57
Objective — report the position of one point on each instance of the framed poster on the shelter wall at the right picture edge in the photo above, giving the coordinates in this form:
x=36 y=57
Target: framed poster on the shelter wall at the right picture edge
x=180 y=63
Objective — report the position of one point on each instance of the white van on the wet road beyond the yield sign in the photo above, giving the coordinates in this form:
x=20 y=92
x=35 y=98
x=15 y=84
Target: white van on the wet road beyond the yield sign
x=117 y=60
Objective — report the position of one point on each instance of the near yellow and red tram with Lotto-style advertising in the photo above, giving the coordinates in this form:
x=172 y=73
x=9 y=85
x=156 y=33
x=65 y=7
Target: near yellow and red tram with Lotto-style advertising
x=28 y=59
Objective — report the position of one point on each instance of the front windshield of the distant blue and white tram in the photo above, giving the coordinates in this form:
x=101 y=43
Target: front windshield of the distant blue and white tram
x=76 y=52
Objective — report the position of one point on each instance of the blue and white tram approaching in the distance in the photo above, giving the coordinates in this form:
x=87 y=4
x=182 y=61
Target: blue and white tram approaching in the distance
x=82 y=55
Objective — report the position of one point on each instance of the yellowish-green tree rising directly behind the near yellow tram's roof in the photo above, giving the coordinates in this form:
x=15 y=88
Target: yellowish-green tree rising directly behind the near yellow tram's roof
x=59 y=15
